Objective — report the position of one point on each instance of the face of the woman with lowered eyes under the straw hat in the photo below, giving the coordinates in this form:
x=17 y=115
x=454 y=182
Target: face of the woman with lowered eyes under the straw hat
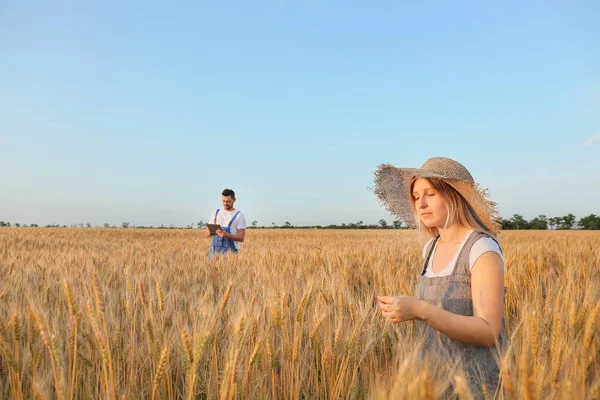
x=430 y=206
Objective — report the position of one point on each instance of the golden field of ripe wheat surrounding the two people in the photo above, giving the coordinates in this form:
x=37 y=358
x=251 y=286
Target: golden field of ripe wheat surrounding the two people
x=125 y=313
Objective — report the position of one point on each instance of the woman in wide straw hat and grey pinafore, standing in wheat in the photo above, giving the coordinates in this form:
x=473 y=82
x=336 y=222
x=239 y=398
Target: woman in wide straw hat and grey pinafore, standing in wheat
x=460 y=305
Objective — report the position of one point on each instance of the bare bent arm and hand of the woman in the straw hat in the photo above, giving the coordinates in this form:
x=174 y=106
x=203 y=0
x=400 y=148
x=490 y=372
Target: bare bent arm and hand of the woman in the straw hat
x=481 y=329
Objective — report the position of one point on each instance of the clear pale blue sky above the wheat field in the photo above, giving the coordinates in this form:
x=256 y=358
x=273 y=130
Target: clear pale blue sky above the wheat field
x=114 y=111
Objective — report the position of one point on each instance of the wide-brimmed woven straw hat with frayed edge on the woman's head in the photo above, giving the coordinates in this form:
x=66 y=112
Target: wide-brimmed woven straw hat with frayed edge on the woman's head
x=392 y=186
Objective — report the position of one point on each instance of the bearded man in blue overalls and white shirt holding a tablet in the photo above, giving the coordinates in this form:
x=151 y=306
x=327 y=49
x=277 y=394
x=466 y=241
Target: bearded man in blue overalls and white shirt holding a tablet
x=233 y=226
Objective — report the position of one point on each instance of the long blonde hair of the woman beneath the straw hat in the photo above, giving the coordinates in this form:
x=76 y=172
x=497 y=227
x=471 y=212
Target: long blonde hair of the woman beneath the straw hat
x=459 y=211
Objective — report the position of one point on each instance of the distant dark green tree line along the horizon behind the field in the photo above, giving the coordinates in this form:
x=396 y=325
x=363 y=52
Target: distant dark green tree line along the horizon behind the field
x=541 y=222
